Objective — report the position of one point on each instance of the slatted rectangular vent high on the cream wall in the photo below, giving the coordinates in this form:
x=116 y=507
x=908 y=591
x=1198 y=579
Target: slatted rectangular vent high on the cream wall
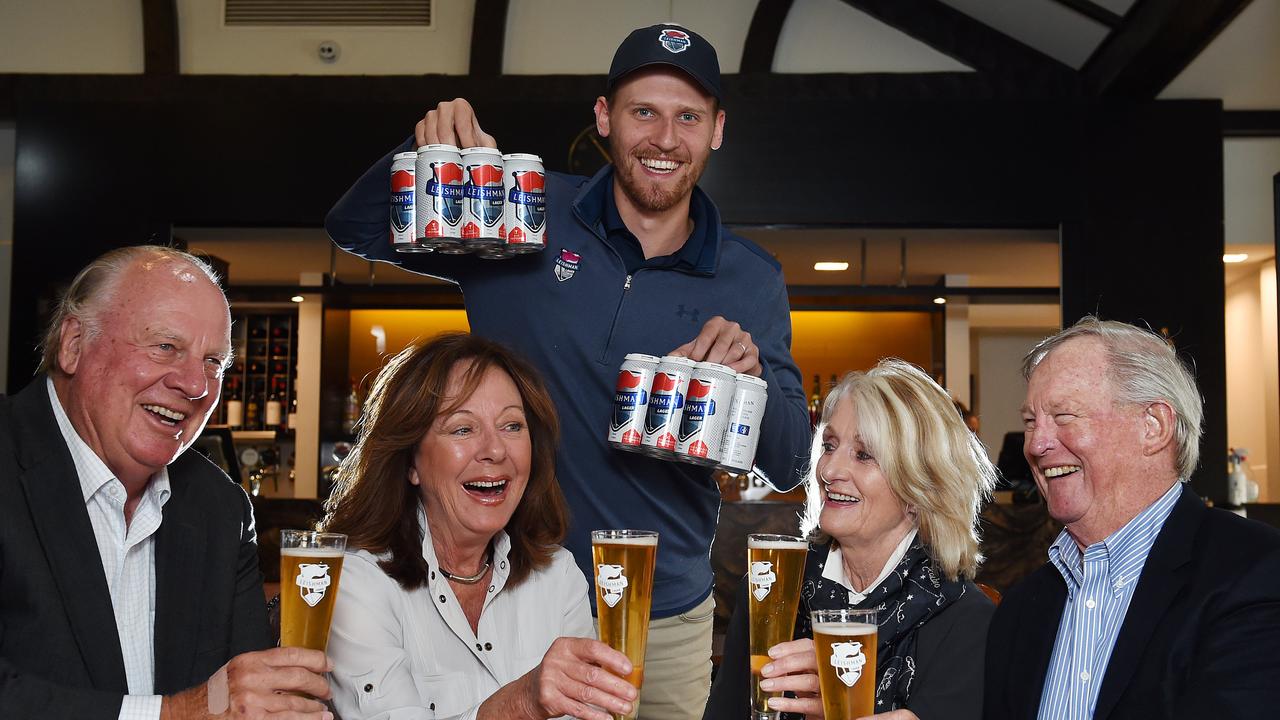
x=328 y=13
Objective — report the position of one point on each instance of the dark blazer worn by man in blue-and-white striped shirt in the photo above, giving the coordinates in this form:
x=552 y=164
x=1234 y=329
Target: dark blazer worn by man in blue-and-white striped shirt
x=1200 y=639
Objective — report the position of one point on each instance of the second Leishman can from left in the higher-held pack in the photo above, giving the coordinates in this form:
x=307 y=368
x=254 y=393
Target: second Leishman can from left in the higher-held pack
x=438 y=198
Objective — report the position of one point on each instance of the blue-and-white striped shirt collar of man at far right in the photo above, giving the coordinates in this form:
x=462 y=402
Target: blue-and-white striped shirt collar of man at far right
x=1123 y=553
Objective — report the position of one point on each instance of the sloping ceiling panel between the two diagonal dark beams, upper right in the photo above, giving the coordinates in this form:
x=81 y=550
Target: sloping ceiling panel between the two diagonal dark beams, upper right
x=1048 y=26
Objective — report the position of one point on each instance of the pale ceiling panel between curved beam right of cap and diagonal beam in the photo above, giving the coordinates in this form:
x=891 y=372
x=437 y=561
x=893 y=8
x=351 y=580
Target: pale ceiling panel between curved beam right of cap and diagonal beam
x=829 y=37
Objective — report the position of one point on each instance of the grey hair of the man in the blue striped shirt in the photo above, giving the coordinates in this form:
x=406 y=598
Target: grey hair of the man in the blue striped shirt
x=1144 y=368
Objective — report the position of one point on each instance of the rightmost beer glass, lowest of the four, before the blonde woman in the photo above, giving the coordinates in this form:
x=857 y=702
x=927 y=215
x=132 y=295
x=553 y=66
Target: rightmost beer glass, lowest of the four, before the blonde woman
x=845 y=641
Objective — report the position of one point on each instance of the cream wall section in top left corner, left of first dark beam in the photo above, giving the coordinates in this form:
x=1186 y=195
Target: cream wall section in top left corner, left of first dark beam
x=72 y=37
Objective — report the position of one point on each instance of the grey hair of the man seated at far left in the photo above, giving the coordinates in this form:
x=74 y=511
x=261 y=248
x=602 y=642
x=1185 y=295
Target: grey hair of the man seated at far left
x=95 y=286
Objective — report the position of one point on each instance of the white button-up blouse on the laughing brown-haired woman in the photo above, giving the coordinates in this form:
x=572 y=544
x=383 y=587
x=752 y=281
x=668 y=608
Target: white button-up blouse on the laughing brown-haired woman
x=412 y=655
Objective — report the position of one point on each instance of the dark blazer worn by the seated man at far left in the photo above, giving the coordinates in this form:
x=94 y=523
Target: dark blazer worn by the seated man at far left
x=60 y=648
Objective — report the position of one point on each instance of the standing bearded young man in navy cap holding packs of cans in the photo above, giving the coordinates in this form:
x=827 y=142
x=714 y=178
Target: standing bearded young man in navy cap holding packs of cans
x=637 y=261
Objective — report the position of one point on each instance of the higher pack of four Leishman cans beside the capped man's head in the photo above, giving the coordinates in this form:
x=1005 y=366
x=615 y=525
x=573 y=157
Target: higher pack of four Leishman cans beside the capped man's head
x=463 y=202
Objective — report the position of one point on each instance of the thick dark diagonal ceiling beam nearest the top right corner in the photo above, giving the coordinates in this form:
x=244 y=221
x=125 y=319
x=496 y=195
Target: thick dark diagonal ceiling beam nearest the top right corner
x=1155 y=43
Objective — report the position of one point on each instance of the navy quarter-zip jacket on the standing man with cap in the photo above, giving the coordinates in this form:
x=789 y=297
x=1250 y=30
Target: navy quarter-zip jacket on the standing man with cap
x=574 y=312
